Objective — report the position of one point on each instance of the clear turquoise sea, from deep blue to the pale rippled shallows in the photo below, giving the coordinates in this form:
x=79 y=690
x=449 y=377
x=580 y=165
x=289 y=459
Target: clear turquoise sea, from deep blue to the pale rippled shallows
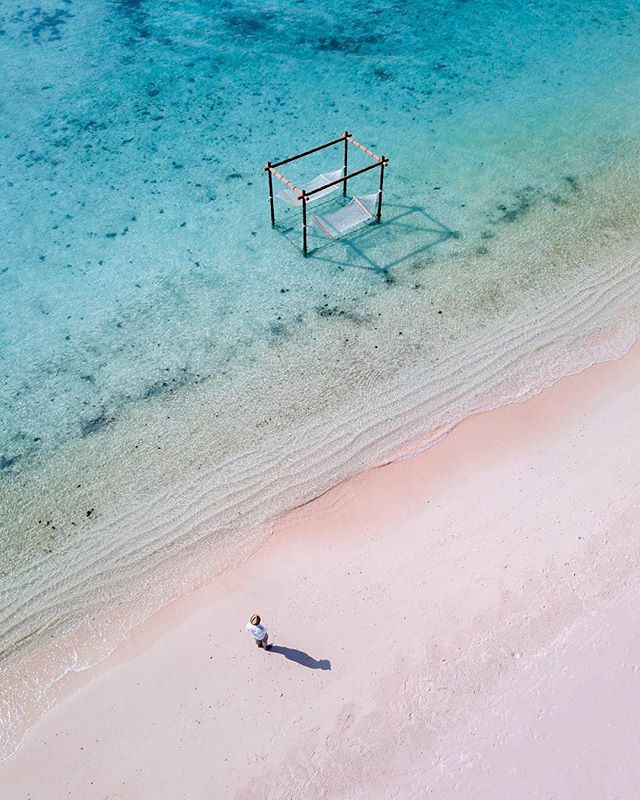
x=174 y=374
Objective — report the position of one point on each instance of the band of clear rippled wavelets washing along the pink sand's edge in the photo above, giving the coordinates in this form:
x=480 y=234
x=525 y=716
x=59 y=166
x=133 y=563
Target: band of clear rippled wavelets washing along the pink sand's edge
x=175 y=540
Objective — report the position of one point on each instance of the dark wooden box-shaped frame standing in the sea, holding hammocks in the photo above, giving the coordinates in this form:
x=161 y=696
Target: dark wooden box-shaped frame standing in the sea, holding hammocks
x=303 y=196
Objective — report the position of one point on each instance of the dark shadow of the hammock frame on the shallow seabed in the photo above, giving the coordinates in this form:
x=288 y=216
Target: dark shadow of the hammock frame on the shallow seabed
x=406 y=232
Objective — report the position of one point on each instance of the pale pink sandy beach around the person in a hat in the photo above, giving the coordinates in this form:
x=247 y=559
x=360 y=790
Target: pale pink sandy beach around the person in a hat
x=460 y=624
